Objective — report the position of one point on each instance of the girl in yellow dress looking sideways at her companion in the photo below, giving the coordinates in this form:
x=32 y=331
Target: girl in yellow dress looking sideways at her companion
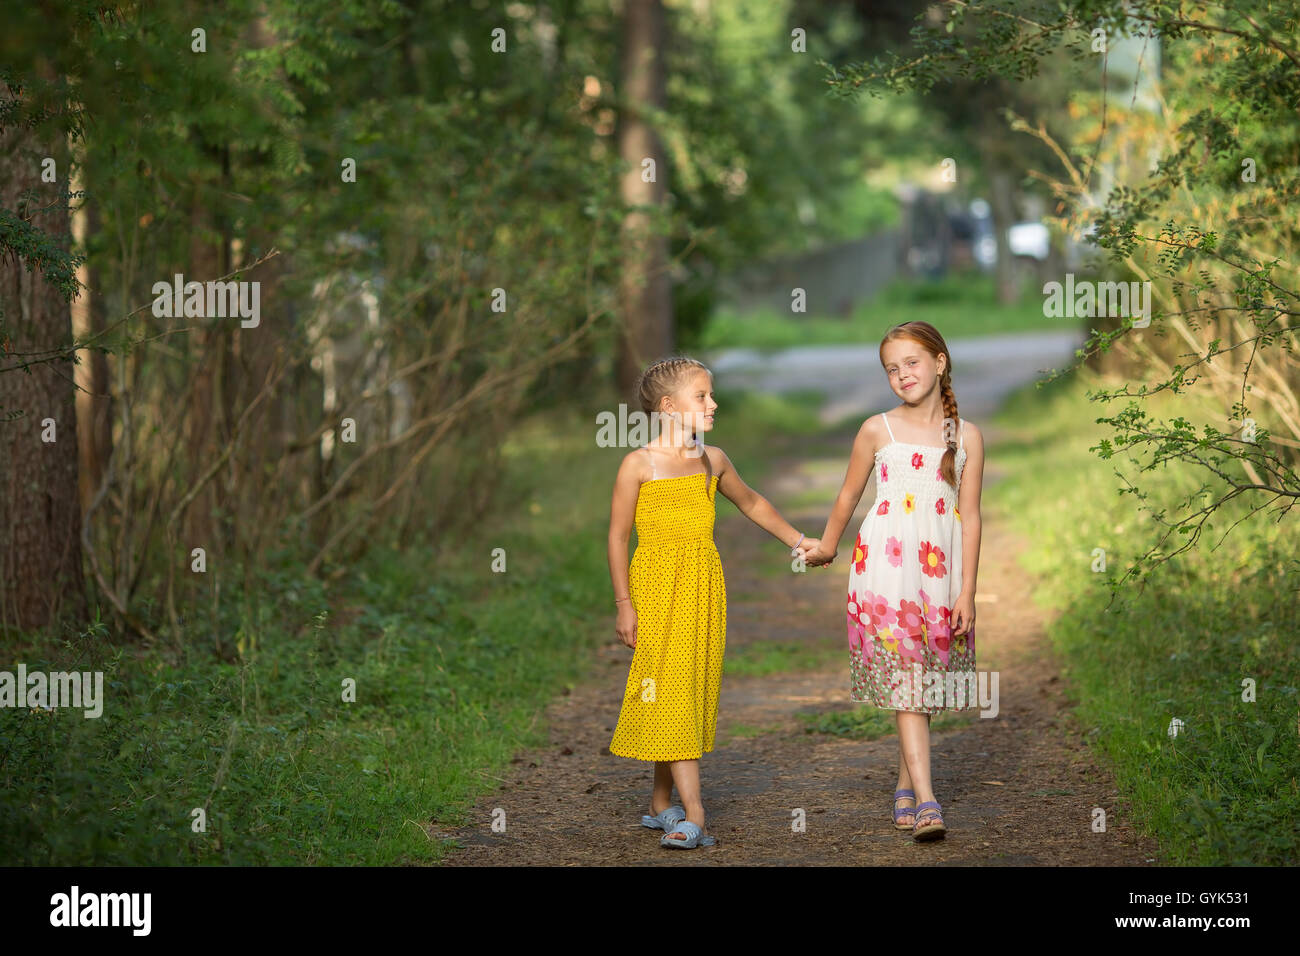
x=673 y=600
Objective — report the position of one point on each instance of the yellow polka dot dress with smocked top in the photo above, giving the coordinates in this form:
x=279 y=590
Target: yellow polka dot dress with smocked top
x=670 y=706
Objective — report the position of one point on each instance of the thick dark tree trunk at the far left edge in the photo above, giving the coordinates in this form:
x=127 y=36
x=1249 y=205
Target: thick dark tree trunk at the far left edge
x=41 y=572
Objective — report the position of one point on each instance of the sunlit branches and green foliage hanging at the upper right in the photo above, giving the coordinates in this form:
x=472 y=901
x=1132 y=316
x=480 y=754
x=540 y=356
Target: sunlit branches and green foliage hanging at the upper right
x=1211 y=223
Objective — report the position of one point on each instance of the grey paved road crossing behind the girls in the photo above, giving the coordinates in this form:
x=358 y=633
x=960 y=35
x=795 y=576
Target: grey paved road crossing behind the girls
x=985 y=371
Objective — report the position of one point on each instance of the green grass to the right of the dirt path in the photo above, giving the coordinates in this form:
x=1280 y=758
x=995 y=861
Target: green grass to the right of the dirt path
x=1224 y=791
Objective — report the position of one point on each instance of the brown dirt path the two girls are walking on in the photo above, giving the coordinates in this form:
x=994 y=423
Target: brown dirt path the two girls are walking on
x=1019 y=789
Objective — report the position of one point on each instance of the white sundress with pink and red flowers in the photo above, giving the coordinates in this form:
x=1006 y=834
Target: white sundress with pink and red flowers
x=907 y=574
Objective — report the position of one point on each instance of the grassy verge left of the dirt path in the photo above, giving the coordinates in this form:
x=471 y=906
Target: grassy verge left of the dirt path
x=265 y=762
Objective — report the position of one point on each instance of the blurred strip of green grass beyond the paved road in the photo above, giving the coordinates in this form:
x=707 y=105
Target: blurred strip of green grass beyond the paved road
x=959 y=306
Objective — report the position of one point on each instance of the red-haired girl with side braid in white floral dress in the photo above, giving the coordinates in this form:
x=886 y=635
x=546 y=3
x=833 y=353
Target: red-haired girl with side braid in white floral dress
x=912 y=585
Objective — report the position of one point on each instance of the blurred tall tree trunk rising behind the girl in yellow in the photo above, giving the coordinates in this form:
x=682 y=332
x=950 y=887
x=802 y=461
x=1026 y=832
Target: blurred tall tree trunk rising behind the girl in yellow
x=645 y=285
